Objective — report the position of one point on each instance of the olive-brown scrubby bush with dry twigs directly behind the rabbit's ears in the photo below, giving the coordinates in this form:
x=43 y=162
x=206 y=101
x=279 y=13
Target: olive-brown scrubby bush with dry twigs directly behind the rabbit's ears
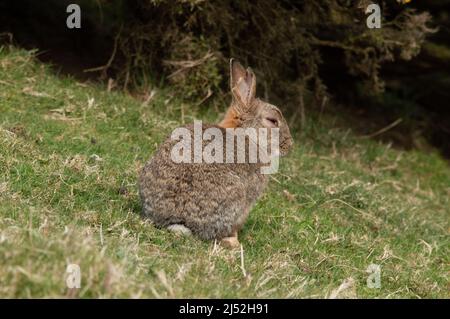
x=283 y=40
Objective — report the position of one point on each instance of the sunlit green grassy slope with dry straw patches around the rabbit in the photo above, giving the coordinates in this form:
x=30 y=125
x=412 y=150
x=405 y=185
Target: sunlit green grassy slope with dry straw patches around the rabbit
x=69 y=156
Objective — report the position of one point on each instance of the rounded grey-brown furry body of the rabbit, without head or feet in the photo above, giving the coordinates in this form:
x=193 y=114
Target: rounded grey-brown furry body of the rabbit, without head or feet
x=212 y=200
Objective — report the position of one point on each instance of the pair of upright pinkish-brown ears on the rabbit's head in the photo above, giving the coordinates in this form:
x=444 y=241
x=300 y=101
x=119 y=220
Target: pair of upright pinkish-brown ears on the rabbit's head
x=243 y=85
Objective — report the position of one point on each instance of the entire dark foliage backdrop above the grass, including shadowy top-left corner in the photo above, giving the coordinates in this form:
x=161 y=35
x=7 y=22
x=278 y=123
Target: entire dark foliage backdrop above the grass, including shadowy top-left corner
x=294 y=46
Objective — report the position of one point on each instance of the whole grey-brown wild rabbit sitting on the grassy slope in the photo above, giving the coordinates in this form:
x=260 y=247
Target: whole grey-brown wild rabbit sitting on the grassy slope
x=212 y=200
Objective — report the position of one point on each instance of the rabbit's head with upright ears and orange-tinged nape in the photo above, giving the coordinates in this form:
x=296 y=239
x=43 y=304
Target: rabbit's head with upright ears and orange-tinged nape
x=248 y=111
